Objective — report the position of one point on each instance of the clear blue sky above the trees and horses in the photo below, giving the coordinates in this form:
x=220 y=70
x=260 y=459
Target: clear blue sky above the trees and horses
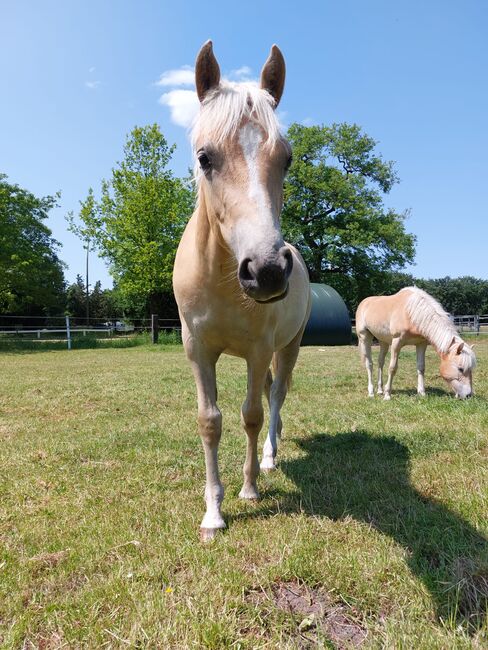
x=78 y=75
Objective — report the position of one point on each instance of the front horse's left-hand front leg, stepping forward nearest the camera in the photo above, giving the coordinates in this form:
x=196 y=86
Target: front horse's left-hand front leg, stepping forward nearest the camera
x=210 y=430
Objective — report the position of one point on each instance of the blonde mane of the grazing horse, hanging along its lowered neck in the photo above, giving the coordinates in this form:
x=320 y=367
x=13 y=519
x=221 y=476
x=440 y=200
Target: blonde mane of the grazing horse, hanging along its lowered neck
x=434 y=324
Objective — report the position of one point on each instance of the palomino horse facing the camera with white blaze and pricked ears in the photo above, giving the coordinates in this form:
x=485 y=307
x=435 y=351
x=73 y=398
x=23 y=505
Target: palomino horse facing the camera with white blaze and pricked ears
x=240 y=288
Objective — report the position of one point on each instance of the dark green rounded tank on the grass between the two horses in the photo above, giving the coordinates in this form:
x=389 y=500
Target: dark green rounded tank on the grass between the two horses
x=329 y=322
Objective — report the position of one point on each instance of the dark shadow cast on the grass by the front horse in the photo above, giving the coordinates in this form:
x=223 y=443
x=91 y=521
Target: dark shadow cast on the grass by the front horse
x=368 y=478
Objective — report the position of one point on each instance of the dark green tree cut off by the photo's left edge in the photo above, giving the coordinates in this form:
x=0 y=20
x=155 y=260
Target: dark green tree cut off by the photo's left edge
x=31 y=274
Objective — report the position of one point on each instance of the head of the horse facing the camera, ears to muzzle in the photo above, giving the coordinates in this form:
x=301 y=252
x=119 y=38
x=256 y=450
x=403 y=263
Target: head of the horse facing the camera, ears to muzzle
x=242 y=159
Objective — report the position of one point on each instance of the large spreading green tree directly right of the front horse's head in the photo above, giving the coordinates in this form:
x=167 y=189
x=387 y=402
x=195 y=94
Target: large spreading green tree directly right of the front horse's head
x=334 y=211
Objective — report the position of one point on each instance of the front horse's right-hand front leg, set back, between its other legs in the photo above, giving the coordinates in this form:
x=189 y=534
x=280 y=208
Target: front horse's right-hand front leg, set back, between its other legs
x=252 y=416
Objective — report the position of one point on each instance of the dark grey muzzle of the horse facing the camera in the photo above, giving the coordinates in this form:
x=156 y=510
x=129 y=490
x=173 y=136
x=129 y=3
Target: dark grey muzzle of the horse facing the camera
x=267 y=280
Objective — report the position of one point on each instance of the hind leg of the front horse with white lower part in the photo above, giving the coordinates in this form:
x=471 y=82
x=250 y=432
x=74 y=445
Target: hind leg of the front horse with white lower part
x=284 y=361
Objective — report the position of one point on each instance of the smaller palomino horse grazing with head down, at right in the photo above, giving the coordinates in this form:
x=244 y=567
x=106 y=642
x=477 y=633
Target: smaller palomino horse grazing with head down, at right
x=413 y=317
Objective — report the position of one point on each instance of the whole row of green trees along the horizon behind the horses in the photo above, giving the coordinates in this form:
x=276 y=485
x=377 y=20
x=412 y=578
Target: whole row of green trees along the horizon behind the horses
x=334 y=212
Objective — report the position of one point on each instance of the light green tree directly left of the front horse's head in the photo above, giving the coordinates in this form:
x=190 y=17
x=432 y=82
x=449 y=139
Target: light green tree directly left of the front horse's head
x=138 y=221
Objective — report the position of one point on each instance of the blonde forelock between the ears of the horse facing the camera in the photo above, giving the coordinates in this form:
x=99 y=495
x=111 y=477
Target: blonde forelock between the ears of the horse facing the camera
x=224 y=109
